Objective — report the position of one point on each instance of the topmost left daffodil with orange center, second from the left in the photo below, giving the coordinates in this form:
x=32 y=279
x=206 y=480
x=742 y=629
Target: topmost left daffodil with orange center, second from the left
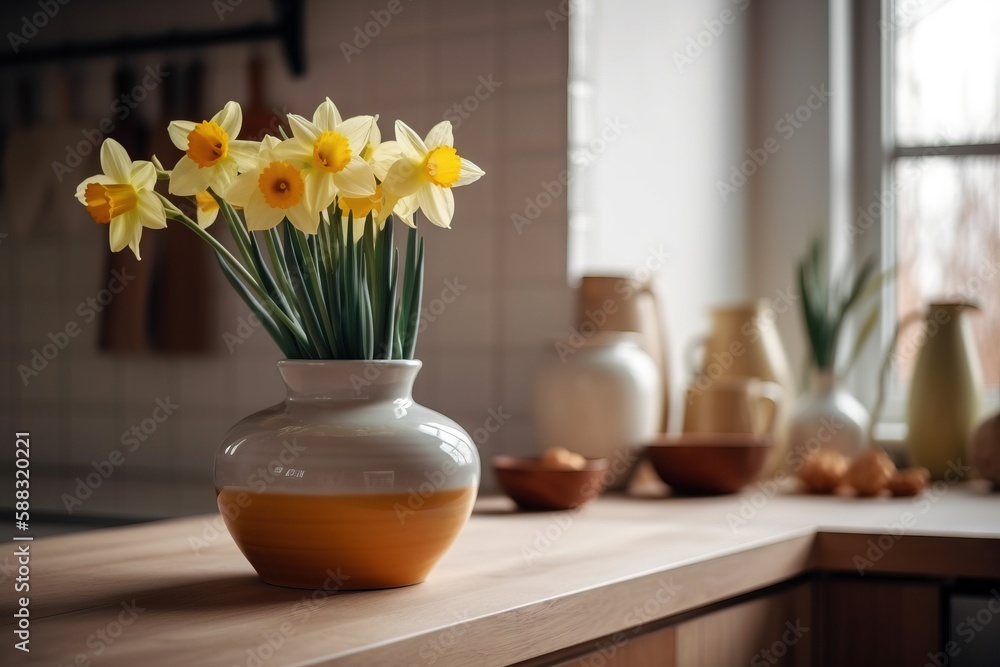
x=212 y=154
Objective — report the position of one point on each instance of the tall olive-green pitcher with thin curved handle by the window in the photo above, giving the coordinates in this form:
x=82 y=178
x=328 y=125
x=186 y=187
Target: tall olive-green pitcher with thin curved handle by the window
x=944 y=403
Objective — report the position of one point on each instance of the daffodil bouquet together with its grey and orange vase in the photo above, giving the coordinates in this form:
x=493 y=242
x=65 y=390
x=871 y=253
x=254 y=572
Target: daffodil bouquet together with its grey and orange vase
x=348 y=483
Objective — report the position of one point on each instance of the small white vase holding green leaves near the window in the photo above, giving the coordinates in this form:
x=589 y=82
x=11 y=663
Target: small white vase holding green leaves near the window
x=826 y=417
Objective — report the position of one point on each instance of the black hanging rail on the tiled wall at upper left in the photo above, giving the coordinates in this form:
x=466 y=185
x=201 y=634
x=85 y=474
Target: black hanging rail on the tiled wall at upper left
x=287 y=28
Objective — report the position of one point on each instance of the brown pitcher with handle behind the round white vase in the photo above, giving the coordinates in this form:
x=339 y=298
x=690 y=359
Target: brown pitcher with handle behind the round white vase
x=623 y=303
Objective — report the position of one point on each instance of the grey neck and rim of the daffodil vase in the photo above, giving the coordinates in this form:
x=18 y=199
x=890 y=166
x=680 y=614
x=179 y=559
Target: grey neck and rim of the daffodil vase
x=348 y=381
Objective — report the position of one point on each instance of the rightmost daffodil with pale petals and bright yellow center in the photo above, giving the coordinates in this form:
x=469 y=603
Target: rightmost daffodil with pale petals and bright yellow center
x=427 y=171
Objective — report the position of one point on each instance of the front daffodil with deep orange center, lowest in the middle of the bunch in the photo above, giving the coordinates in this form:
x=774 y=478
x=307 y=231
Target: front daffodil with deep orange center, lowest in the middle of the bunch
x=273 y=189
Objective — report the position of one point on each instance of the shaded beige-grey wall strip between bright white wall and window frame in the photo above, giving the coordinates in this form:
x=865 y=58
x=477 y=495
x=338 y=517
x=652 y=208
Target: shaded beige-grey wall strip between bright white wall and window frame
x=790 y=199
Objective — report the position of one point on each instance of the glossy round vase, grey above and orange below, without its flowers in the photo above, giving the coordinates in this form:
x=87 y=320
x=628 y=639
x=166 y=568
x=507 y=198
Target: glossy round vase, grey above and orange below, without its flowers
x=346 y=484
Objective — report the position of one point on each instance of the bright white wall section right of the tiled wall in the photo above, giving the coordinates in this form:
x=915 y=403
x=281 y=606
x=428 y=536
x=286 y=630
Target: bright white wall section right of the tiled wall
x=674 y=74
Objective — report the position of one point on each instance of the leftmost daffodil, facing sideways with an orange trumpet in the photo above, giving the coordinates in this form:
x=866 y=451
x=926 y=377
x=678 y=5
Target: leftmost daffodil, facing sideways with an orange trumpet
x=123 y=197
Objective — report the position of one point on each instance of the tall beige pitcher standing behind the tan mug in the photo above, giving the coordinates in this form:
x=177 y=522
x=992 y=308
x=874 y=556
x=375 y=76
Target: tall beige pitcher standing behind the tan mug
x=743 y=342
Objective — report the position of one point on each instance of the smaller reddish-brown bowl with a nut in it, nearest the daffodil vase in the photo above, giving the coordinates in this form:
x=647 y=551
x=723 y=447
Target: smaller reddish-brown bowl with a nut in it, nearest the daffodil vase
x=535 y=485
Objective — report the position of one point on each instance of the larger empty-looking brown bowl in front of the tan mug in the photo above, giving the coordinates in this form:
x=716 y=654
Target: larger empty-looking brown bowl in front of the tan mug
x=708 y=463
